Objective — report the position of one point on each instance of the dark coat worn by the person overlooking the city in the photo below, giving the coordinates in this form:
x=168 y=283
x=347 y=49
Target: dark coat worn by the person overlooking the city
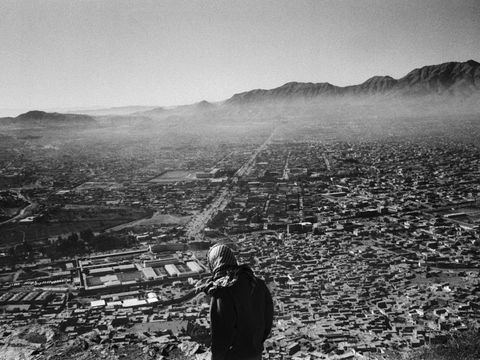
x=241 y=318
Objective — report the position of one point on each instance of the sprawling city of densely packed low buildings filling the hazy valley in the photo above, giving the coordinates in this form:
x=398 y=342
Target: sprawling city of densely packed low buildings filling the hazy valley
x=366 y=233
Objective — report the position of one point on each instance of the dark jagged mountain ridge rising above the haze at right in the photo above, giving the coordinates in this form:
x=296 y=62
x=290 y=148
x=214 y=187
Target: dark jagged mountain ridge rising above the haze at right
x=451 y=78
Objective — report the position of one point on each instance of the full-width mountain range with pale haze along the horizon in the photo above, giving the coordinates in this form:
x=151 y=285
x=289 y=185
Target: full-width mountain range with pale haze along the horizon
x=459 y=82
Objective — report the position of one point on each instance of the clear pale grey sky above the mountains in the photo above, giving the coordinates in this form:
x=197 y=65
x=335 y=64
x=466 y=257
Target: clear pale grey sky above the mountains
x=72 y=53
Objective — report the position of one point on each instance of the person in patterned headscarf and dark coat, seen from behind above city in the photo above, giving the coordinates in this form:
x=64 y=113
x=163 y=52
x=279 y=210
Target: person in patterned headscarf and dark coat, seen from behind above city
x=241 y=308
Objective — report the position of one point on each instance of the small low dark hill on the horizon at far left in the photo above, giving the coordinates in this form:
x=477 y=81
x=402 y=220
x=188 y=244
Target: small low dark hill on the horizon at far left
x=45 y=119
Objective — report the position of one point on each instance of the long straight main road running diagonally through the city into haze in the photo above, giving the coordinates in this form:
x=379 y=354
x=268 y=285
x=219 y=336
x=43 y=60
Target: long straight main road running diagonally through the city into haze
x=194 y=229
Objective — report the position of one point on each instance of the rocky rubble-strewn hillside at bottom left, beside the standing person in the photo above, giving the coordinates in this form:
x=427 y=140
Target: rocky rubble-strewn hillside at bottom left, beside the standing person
x=43 y=342
